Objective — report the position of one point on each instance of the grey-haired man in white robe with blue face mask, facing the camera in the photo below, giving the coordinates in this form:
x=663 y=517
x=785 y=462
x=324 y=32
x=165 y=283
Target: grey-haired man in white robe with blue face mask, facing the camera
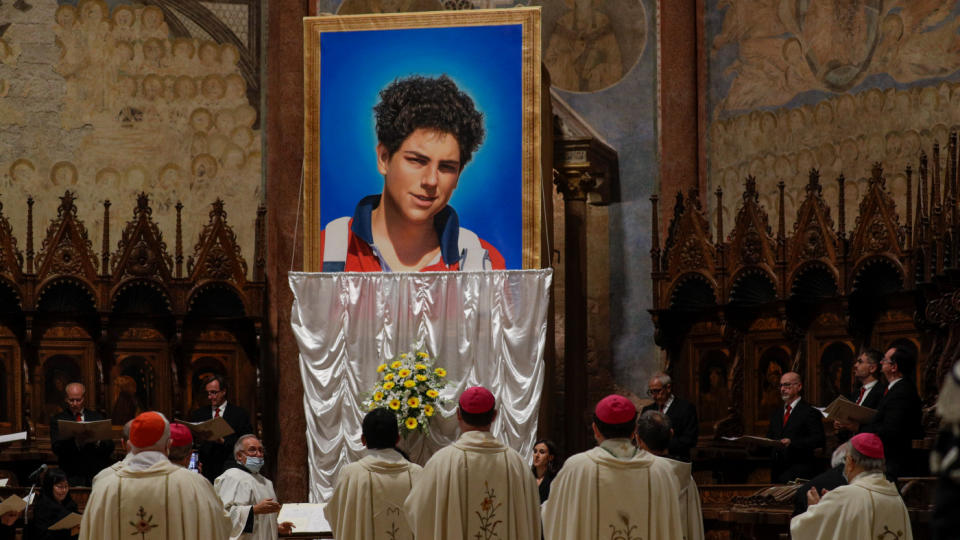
x=248 y=496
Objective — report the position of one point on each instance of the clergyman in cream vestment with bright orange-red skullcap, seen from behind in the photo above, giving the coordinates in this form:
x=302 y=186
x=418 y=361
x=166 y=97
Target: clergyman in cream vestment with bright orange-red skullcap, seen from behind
x=150 y=498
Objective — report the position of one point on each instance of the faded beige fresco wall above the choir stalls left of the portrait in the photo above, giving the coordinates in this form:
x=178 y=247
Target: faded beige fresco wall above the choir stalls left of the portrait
x=114 y=99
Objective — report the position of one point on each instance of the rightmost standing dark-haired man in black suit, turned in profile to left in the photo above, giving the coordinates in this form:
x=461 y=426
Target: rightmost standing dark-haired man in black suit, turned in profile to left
x=899 y=413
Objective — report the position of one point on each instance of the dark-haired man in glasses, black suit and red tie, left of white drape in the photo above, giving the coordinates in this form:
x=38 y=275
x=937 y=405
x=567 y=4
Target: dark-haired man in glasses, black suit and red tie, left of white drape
x=214 y=454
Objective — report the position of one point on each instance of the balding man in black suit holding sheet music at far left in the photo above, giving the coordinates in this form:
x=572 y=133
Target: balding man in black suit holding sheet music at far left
x=80 y=459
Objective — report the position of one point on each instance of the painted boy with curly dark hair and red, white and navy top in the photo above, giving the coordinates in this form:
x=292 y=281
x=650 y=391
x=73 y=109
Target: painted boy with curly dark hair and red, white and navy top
x=427 y=131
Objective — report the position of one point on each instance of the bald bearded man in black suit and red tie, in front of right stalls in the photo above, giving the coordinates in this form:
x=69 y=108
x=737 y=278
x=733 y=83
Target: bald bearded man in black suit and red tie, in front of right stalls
x=799 y=428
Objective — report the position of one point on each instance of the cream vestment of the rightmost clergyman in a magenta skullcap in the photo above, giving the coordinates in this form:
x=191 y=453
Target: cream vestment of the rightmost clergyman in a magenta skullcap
x=868 y=507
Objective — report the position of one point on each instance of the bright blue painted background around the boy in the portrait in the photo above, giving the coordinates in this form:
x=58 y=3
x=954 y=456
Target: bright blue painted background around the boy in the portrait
x=356 y=65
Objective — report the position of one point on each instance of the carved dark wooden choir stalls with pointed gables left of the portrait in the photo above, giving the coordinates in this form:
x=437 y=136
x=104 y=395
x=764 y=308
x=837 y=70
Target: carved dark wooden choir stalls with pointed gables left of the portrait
x=129 y=323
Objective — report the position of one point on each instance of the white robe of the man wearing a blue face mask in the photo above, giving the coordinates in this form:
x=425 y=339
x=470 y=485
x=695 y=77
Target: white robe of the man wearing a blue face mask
x=240 y=490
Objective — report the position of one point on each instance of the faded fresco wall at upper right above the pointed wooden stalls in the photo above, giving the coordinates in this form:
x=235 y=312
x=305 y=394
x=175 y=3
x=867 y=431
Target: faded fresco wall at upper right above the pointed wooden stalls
x=830 y=84
